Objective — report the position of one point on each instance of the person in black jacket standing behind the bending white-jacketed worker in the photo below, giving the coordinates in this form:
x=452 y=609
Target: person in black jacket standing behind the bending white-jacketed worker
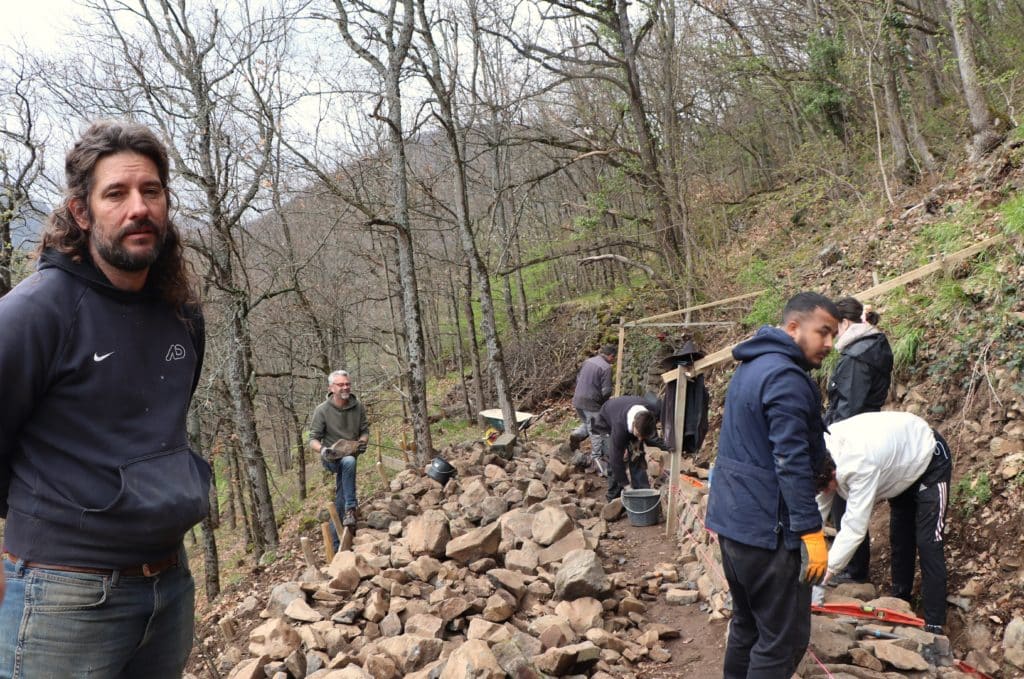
x=860 y=385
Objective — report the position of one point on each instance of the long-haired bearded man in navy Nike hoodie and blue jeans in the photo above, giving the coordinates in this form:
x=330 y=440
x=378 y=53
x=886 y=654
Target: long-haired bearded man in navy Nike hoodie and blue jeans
x=102 y=350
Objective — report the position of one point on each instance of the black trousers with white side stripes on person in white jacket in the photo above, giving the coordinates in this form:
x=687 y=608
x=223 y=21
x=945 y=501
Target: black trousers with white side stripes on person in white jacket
x=916 y=523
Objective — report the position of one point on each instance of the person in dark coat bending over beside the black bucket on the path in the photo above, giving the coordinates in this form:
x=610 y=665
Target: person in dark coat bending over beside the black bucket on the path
x=627 y=422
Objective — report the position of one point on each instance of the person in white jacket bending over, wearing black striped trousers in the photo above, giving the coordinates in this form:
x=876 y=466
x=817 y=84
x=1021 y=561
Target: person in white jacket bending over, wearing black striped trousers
x=900 y=458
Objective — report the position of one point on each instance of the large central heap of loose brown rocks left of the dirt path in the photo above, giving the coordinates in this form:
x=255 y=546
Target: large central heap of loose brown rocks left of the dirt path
x=498 y=574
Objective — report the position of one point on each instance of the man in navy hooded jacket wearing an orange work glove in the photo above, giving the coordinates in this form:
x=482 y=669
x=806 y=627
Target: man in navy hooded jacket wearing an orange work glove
x=762 y=502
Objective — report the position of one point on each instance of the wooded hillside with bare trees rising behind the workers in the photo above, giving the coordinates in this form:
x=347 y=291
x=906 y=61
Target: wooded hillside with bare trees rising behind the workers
x=456 y=201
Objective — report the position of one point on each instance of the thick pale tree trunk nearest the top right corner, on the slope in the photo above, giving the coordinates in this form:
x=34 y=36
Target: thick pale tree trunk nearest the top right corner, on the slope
x=985 y=137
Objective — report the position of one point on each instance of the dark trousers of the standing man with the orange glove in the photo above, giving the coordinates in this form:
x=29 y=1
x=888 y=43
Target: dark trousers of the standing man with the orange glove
x=772 y=612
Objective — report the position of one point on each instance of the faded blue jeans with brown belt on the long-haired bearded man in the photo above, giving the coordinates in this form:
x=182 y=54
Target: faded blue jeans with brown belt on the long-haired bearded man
x=60 y=625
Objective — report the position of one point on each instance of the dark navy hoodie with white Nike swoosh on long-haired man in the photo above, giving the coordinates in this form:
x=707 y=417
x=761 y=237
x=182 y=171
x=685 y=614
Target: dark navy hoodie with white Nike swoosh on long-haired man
x=93 y=433
